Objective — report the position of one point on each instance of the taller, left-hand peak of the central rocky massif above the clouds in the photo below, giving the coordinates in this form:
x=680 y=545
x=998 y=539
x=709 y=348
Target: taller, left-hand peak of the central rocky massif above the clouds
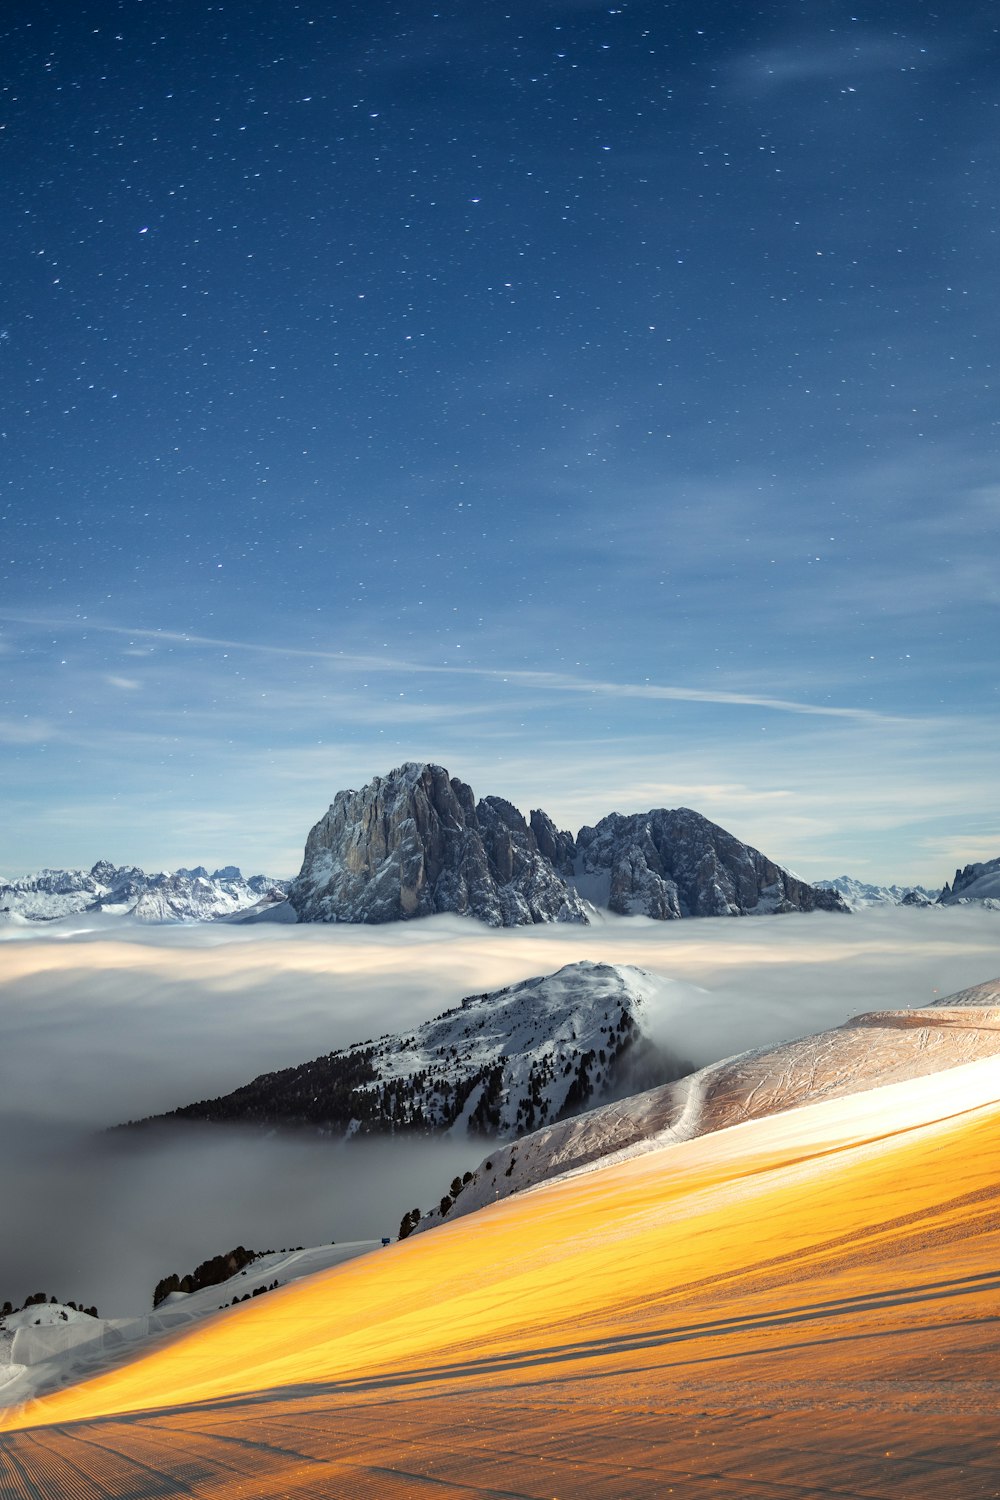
x=416 y=842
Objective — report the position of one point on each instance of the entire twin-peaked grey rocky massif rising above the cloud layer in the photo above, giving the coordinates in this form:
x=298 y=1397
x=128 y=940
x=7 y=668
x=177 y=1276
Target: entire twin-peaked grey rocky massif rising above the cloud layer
x=418 y=842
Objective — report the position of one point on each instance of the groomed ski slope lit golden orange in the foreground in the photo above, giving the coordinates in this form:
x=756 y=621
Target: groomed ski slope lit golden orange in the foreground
x=798 y=1306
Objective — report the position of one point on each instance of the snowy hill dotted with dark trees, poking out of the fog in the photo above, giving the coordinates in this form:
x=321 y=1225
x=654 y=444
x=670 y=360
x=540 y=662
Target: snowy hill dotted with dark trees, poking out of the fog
x=497 y=1066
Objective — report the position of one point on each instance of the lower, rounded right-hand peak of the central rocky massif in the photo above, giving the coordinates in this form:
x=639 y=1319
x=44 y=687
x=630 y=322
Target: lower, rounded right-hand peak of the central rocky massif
x=675 y=863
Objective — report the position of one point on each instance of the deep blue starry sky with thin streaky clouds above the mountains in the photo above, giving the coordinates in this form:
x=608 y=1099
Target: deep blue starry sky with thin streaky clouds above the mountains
x=597 y=400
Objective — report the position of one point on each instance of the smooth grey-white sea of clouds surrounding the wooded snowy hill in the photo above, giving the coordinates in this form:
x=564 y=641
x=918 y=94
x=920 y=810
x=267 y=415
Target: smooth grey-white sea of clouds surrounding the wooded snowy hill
x=106 y=1021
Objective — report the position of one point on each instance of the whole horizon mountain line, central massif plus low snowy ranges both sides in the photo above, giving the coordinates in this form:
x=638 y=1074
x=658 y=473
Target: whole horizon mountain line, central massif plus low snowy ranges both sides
x=418 y=842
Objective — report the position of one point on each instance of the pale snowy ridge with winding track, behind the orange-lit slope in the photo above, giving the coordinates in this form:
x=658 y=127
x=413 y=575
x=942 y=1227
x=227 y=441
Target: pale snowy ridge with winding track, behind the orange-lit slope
x=866 y=1054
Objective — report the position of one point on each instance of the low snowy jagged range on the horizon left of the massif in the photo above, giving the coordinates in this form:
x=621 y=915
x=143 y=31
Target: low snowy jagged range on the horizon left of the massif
x=127 y=890
